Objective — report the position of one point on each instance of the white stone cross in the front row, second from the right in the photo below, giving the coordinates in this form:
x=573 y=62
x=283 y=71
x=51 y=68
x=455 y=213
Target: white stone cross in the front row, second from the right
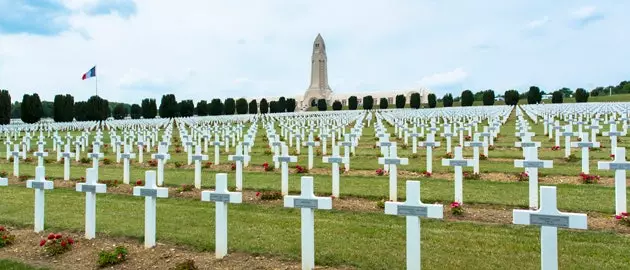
x=413 y=209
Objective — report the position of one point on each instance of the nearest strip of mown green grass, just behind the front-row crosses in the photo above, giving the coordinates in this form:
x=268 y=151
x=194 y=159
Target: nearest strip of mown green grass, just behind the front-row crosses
x=363 y=240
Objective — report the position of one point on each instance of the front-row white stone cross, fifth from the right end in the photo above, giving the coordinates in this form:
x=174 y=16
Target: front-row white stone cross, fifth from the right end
x=150 y=192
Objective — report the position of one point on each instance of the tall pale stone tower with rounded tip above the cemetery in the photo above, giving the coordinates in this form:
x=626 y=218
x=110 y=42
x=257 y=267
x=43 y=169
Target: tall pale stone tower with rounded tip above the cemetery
x=319 y=88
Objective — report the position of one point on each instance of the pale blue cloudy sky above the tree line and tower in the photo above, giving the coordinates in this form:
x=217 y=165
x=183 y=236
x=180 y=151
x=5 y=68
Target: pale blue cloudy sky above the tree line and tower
x=204 y=49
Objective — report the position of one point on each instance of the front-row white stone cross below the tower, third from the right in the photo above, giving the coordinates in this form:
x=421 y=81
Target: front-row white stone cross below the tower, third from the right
x=308 y=202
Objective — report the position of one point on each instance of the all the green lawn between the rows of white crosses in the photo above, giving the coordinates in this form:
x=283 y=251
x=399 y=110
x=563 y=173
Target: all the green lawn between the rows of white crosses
x=360 y=239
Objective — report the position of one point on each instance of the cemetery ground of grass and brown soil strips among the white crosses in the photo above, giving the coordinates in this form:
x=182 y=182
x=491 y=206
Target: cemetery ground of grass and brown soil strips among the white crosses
x=355 y=233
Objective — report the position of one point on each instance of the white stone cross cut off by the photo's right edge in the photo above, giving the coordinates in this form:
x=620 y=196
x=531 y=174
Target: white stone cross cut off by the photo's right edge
x=620 y=165
